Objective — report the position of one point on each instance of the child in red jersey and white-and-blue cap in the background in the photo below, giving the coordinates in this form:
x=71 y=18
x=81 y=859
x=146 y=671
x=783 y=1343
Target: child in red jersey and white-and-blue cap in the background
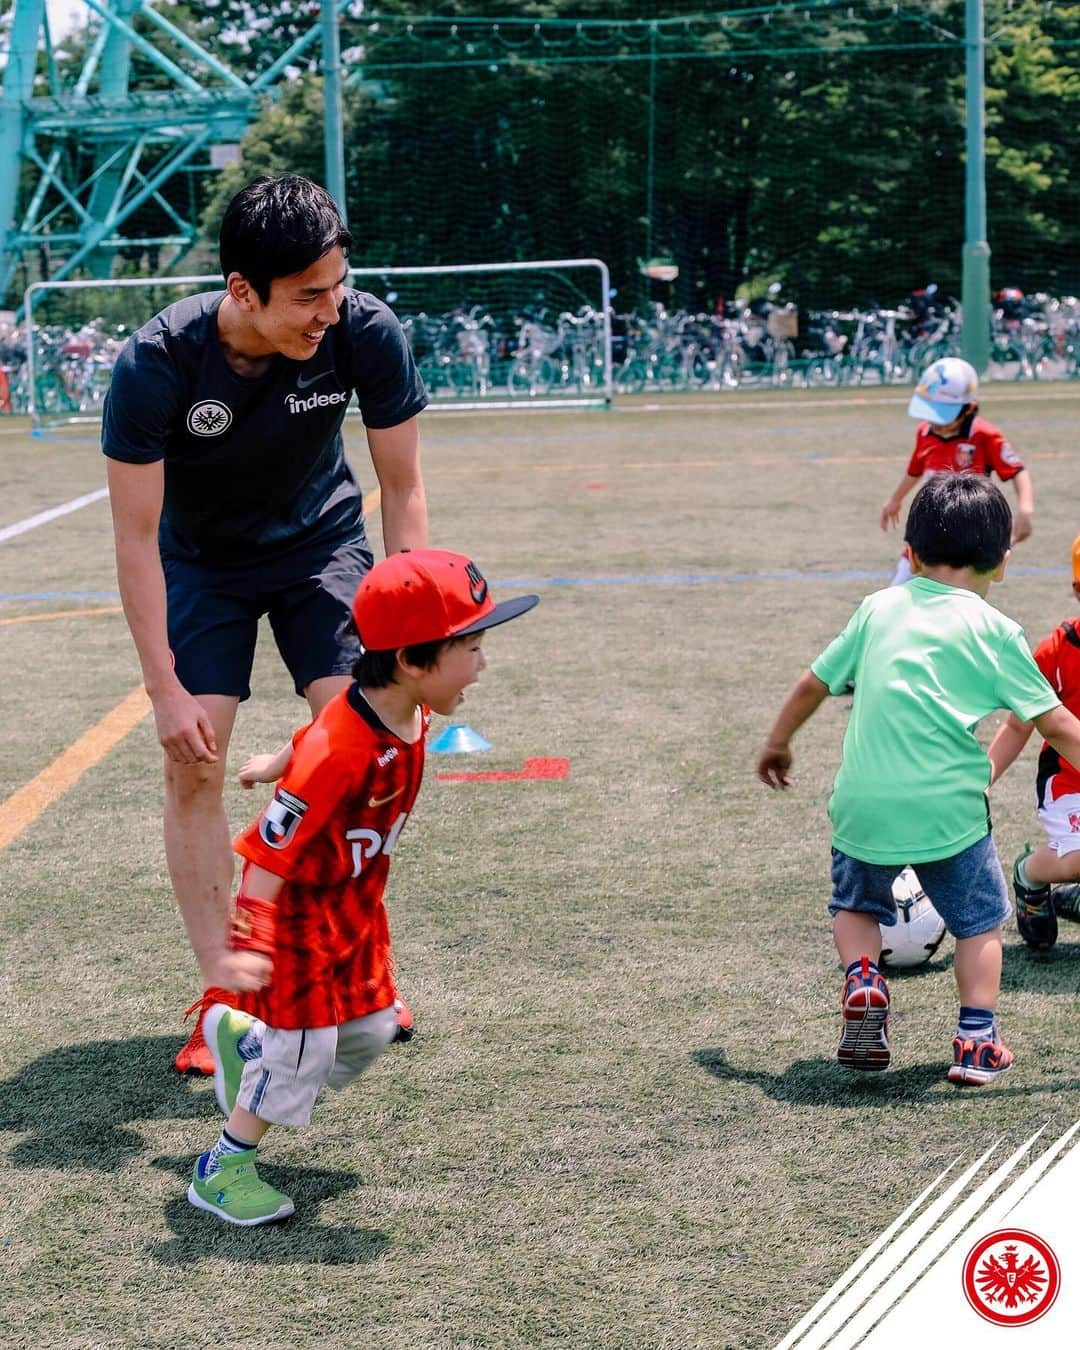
x=954 y=439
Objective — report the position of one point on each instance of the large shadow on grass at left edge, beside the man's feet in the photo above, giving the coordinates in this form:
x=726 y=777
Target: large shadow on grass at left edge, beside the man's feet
x=72 y=1102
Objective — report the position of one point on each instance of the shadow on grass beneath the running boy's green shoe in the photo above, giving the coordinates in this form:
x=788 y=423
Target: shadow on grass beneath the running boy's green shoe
x=202 y=1237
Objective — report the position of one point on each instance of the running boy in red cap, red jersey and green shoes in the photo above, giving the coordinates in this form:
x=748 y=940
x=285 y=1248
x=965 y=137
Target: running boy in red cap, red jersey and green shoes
x=310 y=925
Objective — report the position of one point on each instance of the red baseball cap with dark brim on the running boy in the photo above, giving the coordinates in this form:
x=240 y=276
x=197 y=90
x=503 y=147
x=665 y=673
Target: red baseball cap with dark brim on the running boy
x=427 y=596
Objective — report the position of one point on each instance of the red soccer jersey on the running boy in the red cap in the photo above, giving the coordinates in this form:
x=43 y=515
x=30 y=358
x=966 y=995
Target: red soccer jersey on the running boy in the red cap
x=329 y=832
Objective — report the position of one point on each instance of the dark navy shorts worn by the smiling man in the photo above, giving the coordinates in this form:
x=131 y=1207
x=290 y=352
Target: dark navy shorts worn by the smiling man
x=215 y=612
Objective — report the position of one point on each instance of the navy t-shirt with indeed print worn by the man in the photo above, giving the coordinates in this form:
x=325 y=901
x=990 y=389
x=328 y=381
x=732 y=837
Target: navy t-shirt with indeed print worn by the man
x=256 y=466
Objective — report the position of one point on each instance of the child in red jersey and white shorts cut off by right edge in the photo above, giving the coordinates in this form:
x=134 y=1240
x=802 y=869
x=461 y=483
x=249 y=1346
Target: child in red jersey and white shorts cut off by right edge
x=1046 y=880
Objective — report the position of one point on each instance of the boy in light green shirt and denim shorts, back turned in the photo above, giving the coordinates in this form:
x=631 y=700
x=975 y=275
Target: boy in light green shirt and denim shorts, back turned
x=929 y=661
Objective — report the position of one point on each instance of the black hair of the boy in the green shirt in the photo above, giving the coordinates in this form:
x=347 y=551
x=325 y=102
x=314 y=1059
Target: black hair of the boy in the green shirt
x=961 y=520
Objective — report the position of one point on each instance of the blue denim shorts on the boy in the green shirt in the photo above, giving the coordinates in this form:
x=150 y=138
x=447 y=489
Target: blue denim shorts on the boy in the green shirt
x=969 y=890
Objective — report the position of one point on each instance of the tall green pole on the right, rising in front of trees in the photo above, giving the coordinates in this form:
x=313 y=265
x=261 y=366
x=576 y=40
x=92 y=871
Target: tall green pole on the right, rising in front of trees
x=977 y=250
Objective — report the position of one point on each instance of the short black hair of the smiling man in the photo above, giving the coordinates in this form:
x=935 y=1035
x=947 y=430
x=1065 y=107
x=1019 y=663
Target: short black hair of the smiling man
x=276 y=227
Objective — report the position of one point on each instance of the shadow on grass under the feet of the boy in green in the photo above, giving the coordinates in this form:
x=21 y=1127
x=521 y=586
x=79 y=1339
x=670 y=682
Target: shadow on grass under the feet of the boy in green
x=823 y=1083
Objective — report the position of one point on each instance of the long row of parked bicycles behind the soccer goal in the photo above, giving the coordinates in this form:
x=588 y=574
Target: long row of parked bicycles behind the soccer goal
x=480 y=354
